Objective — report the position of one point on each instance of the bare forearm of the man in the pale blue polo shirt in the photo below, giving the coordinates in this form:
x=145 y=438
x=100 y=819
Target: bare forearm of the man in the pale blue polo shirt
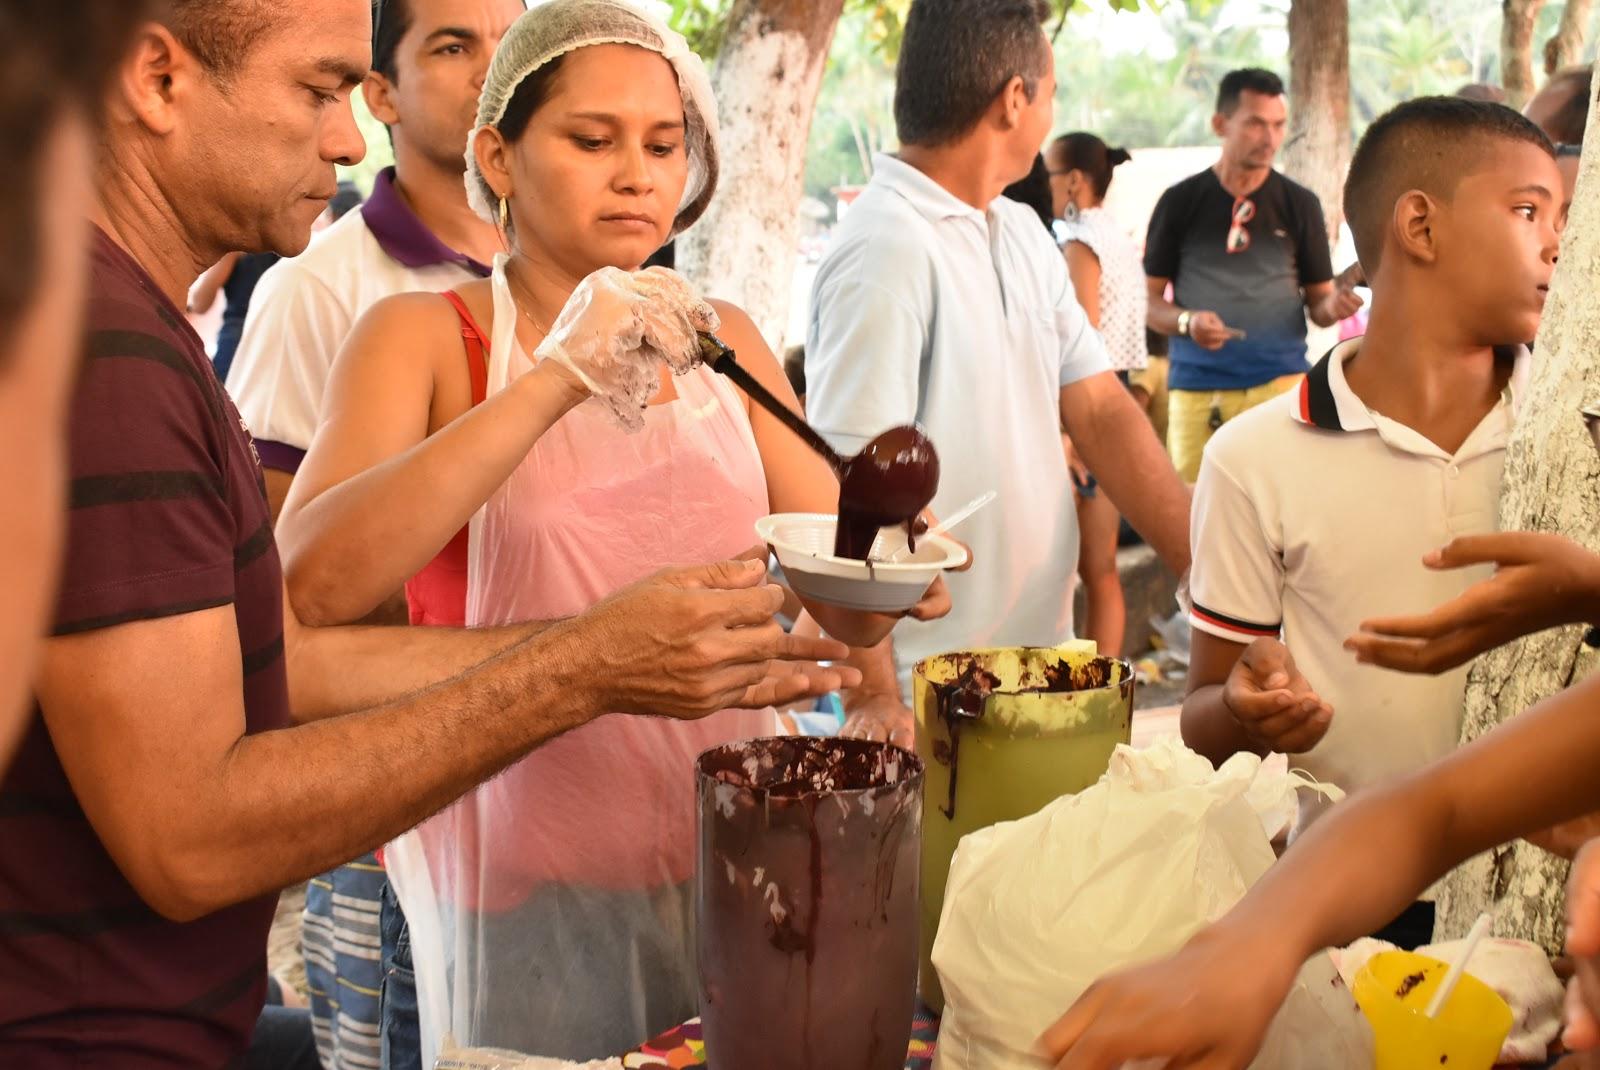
x=1122 y=452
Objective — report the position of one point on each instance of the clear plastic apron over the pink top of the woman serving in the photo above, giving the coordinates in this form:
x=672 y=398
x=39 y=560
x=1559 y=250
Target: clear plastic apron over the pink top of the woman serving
x=551 y=908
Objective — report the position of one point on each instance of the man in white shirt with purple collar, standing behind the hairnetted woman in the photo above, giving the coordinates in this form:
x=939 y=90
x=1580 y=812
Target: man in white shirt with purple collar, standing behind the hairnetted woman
x=414 y=234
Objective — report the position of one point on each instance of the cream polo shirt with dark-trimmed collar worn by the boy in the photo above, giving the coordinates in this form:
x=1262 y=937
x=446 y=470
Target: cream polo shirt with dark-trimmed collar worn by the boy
x=1311 y=516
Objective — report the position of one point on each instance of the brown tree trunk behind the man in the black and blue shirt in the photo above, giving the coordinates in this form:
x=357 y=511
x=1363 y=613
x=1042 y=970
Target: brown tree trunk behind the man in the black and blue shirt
x=1319 y=151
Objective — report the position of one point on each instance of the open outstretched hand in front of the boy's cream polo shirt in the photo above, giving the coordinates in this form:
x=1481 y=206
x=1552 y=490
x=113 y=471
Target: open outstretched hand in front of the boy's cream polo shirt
x=1540 y=581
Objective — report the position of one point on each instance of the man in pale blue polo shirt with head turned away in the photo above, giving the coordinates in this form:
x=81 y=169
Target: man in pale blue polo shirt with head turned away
x=948 y=305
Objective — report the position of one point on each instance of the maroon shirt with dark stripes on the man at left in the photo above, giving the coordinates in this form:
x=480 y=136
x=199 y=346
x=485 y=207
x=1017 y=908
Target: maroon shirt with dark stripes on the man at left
x=169 y=517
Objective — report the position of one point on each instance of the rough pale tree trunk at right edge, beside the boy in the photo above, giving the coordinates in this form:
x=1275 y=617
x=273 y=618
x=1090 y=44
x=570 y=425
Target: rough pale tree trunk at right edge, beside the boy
x=1553 y=484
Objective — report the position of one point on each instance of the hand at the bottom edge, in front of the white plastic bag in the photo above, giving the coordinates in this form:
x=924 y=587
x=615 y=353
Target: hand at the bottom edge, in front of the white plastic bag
x=1207 y=1007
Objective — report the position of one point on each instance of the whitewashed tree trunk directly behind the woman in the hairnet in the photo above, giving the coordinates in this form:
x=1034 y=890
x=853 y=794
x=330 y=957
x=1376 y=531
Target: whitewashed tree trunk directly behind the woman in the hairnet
x=767 y=81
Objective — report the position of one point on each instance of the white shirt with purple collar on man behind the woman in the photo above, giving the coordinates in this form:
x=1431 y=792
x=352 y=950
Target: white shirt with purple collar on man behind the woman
x=306 y=306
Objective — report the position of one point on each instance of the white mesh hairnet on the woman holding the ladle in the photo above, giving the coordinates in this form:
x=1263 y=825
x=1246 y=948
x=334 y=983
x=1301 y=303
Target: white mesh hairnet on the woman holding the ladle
x=561 y=26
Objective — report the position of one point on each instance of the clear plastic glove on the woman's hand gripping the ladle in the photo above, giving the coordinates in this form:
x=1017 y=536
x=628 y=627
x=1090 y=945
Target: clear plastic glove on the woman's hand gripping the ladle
x=620 y=327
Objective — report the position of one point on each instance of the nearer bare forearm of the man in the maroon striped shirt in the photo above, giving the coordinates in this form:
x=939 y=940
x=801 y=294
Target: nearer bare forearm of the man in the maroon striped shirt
x=354 y=783
